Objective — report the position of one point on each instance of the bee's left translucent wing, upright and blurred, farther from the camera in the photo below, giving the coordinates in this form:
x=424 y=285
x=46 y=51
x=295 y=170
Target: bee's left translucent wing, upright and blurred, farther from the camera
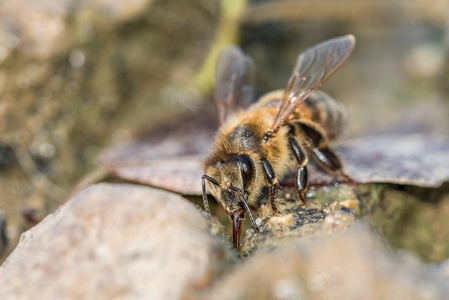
x=234 y=74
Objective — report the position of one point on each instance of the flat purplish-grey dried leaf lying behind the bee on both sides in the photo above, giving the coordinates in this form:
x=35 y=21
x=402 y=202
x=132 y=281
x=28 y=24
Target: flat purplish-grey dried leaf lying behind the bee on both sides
x=404 y=159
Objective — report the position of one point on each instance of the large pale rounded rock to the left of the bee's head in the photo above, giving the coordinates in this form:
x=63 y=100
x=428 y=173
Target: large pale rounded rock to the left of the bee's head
x=115 y=241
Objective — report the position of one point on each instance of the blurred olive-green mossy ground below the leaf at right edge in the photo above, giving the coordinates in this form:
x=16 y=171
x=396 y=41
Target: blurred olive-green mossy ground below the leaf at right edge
x=410 y=221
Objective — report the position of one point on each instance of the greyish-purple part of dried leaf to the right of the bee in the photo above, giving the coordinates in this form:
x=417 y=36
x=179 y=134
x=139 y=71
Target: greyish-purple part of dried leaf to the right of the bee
x=405 y=159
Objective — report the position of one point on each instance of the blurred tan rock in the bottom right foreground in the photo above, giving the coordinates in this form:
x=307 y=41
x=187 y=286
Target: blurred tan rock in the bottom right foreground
x=349 y=265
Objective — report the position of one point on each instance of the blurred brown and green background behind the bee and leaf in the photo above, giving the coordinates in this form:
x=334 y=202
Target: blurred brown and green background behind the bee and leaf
x=77 y=77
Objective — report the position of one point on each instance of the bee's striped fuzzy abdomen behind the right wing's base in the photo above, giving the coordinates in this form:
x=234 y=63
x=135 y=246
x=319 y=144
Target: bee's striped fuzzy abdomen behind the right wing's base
x=326 y=111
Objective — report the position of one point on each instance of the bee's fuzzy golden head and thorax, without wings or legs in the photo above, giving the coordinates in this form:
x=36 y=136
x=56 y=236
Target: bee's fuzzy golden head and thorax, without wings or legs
x=239 y=144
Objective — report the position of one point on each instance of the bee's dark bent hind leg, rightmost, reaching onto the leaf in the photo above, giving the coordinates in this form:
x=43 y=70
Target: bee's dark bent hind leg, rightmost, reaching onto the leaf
x=317 y=141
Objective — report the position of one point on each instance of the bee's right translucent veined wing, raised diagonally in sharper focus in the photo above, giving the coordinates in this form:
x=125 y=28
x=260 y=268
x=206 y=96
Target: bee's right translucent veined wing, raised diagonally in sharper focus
x=313 y=68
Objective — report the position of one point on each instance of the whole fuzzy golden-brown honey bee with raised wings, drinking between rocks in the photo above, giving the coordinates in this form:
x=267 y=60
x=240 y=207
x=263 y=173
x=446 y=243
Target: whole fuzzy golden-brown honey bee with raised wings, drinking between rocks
x=257 y=146
